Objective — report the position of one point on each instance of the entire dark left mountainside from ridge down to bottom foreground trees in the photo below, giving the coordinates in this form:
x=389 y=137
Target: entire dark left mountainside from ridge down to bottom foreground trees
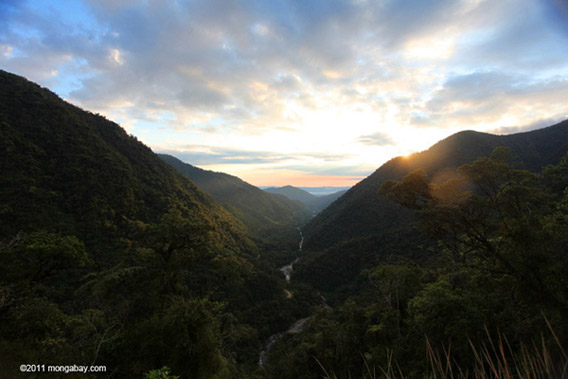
x=110 y=256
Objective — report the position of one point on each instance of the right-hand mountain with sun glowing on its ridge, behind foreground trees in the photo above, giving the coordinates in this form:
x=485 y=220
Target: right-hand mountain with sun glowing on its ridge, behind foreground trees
x=359 y=228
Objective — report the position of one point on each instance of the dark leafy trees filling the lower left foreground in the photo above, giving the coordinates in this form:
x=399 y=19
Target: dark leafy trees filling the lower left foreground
x=174 y=298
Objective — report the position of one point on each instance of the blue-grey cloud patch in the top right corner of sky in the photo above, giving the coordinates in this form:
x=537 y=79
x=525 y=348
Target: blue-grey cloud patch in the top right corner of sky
x=513 y=36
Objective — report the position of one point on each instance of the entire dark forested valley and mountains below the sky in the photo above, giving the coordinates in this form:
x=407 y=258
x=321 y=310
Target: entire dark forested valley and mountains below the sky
x=111 y=254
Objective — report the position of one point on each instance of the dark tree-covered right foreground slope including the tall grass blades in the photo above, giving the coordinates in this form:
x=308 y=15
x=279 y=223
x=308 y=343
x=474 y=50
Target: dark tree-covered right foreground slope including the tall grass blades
x=489 y=300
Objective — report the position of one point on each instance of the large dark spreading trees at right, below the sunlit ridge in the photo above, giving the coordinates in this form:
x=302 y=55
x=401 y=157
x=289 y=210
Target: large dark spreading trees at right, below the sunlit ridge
x=502 y=230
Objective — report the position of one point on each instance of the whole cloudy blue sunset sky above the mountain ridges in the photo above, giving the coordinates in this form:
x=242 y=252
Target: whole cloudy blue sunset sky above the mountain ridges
x=306 y=92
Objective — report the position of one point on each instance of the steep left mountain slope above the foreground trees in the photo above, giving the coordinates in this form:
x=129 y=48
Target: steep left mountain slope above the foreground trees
x=67 y=170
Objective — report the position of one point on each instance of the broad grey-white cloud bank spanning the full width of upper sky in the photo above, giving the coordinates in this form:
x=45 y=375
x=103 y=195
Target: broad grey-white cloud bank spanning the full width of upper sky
x=203 y=57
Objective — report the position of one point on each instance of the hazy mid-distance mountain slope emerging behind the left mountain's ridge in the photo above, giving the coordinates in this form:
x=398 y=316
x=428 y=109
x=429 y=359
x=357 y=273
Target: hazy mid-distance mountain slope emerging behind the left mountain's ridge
x=264 y=214
